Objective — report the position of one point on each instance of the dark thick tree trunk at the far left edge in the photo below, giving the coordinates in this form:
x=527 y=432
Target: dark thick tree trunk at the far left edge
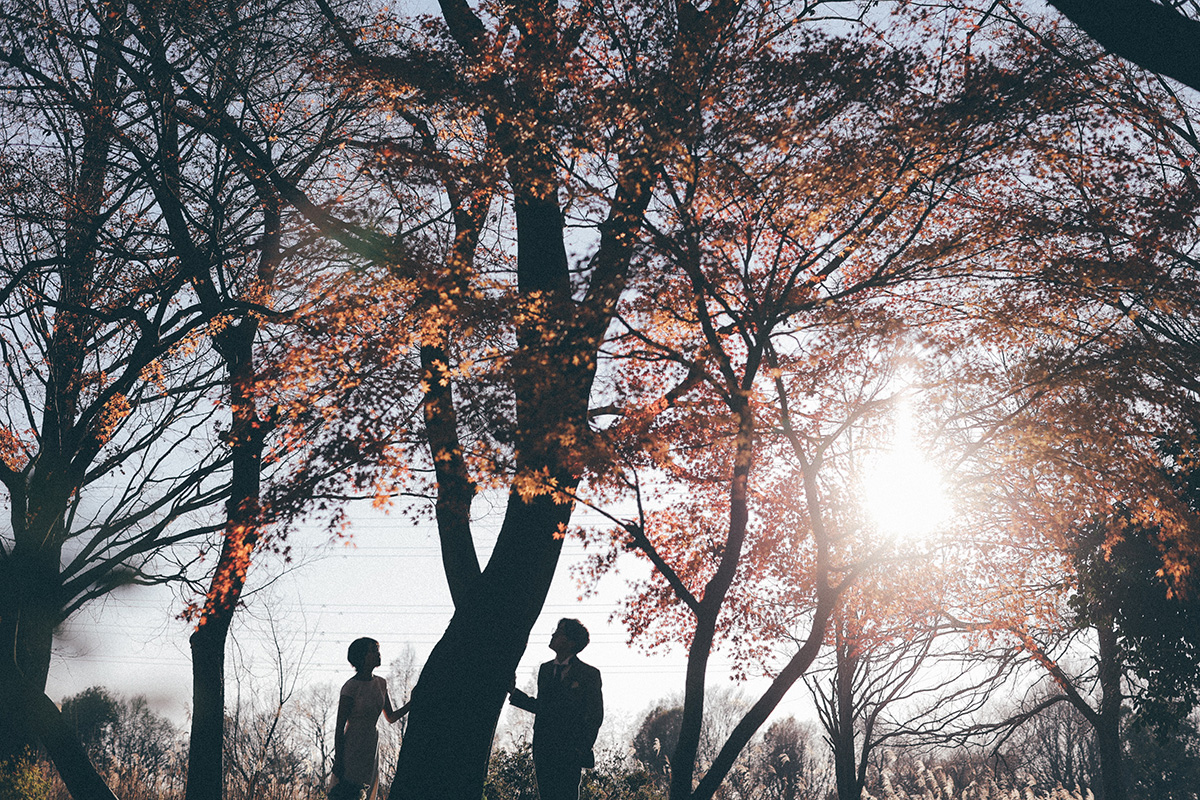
x=39 y=496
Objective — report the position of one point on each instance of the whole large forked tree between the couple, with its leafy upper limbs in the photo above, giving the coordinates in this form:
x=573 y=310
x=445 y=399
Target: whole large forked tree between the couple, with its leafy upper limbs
x=515 y=89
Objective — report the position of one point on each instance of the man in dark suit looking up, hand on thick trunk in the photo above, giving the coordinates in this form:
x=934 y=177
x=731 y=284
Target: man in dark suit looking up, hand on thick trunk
x=571 y=708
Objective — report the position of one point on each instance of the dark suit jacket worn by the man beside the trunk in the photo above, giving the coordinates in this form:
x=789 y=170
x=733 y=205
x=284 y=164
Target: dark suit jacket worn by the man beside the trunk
x=569 y=713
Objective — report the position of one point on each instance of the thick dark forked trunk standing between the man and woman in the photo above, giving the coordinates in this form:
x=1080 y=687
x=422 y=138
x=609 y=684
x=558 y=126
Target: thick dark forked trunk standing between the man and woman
x=463 y=688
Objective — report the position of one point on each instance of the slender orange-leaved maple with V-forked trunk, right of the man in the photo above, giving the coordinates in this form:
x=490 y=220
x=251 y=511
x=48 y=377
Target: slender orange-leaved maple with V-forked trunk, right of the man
x=765 y=323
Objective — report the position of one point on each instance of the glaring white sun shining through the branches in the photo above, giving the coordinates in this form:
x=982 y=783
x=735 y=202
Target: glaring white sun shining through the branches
x=904 y=494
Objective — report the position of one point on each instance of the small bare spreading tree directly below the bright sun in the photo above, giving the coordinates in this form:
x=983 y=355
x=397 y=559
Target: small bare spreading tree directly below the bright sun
x=899 y=672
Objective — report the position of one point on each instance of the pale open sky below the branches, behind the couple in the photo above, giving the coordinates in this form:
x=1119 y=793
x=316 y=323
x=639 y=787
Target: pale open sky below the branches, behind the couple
x=385 y=582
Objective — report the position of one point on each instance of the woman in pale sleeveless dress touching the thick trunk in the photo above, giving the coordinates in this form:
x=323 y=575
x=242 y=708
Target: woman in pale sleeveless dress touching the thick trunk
x=356 y=739
